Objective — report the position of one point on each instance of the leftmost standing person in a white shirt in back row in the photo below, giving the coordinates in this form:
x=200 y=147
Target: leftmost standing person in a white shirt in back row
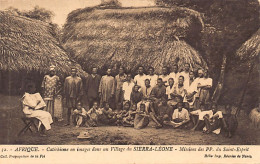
x=127 y=87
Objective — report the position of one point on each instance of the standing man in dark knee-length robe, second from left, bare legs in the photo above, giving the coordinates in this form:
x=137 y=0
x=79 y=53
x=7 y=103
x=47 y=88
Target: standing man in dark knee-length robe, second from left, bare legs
x=73 y=91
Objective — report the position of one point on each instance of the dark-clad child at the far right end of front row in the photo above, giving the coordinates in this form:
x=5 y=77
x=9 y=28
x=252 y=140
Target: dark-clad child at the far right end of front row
x=230 y=122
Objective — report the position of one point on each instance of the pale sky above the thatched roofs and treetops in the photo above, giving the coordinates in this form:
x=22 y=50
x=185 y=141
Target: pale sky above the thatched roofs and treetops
x=62 y=8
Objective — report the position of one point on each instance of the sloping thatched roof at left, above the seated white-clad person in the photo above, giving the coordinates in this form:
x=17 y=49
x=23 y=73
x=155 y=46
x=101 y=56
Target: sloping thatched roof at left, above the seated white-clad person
x=29 y=45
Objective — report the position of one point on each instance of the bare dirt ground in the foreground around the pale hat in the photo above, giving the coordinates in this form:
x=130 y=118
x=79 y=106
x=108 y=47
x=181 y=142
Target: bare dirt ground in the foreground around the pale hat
x=11 y=124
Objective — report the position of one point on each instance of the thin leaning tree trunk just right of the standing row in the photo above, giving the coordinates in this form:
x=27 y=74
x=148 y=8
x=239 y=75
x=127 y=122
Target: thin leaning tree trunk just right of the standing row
x=219 y=87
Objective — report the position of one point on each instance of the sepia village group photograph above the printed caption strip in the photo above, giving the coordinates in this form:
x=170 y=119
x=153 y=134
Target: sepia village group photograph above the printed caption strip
x=129 y=72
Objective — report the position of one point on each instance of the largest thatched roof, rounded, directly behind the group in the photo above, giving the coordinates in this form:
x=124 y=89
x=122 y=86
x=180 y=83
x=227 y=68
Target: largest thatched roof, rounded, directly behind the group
x=151 y=36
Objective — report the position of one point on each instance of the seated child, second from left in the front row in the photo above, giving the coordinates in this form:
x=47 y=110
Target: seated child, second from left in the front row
x=92 y=115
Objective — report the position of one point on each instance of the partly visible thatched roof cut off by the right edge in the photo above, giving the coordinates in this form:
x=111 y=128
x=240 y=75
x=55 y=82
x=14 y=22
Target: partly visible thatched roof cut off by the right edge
x=251 y=48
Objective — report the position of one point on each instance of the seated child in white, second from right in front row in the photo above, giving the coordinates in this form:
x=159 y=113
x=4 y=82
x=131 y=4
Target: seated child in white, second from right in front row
x=213 y=120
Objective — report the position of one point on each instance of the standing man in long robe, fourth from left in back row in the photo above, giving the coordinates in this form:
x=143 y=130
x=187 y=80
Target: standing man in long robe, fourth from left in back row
x=107 y=89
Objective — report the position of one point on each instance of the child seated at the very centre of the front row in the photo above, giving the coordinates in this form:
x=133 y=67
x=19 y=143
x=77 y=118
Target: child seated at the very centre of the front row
x=141 y=118
